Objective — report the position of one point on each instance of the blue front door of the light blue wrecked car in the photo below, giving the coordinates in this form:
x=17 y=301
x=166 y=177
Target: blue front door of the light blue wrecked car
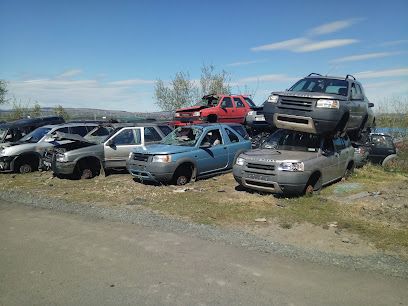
x=212 y=152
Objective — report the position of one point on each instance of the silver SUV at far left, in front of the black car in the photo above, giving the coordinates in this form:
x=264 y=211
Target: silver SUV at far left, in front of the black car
x=24 y=155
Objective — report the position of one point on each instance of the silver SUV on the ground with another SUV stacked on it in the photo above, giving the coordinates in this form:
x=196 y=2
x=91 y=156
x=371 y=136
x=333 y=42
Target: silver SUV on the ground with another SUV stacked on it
x=295 y=163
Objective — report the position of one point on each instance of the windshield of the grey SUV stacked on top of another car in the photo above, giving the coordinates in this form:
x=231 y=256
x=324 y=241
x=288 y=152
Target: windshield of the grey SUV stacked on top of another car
x=323 y=85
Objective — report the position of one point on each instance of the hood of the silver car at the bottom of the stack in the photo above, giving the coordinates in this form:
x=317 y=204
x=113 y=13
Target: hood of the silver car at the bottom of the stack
x=278 y=155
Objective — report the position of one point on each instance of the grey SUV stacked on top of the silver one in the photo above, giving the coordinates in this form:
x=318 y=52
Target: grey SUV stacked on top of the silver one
x=322 y=104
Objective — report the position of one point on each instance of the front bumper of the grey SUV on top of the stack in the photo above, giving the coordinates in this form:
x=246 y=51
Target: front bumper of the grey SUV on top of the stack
x=316 y=120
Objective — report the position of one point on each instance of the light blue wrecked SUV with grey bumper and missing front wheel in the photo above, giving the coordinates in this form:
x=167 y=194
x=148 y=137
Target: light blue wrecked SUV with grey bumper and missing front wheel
x=188 y=153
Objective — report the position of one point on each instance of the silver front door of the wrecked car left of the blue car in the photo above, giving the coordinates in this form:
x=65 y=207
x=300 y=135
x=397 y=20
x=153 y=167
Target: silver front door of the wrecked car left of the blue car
x=117 y=148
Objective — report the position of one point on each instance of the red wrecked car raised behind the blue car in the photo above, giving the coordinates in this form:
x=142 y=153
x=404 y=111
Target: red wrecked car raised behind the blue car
x=215 y=108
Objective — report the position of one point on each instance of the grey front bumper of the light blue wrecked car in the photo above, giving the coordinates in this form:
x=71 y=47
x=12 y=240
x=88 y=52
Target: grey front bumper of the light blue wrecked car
x=154 y=172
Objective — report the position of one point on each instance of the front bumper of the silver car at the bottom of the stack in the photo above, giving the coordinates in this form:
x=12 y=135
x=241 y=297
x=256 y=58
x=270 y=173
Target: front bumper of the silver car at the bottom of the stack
x=281 y=182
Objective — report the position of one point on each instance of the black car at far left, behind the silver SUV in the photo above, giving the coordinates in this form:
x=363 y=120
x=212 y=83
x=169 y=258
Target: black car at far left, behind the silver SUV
x=13 y=131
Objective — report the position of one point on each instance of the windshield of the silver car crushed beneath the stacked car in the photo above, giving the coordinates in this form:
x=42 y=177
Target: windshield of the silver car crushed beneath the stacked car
x=292 y=141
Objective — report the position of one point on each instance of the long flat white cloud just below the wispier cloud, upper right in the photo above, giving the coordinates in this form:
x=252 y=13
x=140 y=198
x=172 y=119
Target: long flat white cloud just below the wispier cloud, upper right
x=305 y=45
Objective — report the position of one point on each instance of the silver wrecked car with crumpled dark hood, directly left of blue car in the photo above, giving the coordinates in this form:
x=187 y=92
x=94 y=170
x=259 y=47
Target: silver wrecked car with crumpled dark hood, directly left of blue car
x=85 y=159
